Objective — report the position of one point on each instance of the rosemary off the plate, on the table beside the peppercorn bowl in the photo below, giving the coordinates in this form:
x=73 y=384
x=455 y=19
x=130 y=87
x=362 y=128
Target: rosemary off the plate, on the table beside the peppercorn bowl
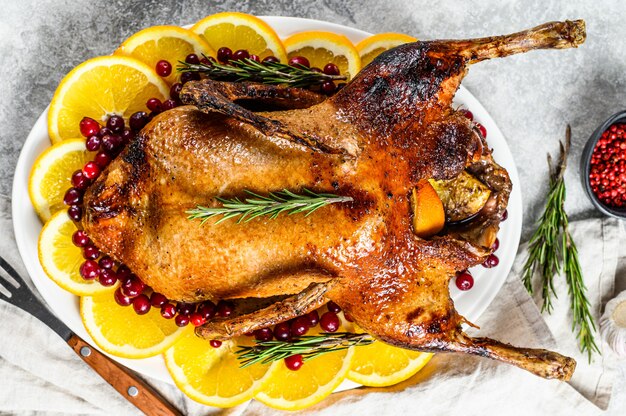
x=550 y=255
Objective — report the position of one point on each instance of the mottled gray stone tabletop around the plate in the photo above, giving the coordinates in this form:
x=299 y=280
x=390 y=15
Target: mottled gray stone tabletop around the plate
x=531 y=97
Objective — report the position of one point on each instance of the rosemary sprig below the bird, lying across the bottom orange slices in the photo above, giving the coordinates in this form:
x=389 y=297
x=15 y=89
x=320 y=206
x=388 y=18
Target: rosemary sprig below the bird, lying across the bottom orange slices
x=309 y=346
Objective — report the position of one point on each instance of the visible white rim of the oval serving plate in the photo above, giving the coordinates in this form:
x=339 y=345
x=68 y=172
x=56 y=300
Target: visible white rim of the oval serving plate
x=65 y=305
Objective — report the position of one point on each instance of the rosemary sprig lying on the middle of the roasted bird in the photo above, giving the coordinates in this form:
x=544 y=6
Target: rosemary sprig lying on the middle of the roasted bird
x=272 y=205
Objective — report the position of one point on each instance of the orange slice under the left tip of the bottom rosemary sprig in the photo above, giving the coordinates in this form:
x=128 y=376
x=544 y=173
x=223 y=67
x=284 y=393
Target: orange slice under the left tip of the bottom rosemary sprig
x=212 y=376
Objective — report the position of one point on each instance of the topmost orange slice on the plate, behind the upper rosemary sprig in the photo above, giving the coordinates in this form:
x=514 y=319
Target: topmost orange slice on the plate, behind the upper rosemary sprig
x=240 y=31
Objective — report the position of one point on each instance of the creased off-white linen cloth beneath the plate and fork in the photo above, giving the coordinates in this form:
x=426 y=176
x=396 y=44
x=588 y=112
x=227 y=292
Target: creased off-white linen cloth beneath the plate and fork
x=40 y=375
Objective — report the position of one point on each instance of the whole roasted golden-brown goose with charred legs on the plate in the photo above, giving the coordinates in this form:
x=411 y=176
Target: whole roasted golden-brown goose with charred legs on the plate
x=389 y=128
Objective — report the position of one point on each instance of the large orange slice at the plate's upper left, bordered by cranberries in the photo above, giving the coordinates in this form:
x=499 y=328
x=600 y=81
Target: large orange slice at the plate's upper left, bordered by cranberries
x=100 y=87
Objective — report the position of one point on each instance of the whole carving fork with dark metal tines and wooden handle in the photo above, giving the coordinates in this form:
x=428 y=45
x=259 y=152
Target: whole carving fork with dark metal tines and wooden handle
x=145 y=398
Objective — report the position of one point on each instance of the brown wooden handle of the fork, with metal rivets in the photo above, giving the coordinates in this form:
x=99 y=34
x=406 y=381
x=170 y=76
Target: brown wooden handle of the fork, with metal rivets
x=144 y=397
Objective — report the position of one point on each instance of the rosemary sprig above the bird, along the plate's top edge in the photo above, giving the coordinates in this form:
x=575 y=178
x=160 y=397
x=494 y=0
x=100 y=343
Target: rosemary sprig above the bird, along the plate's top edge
x=266 y=73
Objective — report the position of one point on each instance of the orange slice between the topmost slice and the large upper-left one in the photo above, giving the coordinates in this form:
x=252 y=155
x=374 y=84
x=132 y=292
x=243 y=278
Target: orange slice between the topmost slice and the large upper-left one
x=171 y=43
